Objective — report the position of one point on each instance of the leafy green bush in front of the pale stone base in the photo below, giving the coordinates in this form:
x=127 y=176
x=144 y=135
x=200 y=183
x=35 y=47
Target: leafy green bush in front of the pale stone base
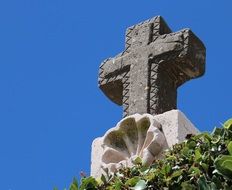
x=201 y=162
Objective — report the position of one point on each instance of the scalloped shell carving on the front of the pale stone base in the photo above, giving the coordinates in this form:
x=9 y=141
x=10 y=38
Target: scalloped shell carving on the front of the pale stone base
x=134 y=136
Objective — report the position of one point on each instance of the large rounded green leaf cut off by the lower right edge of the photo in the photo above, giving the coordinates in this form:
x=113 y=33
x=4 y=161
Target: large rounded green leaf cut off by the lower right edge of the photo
x=223 y=165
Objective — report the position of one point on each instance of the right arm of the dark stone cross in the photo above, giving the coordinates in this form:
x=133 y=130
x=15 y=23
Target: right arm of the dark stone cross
x=183 y=50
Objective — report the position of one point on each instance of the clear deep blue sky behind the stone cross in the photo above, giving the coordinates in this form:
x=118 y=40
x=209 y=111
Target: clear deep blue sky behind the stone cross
x=50 y=105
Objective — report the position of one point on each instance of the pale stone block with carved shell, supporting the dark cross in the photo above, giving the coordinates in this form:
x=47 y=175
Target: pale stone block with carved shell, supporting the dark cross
x=139 y=135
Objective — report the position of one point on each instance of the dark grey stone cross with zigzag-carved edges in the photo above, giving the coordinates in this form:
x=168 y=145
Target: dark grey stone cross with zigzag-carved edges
x=144 y=78
